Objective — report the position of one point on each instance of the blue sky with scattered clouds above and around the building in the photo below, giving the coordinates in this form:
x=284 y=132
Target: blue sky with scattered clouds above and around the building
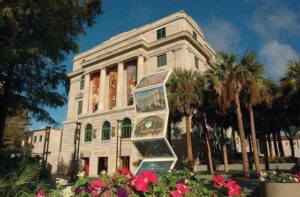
x=271 y=28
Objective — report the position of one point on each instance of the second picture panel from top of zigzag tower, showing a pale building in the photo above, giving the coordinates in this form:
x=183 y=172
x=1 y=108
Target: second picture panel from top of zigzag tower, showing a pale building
x=150 y=100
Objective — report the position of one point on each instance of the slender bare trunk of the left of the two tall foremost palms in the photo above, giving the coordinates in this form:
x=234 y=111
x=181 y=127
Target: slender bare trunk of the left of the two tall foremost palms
x=242 y=137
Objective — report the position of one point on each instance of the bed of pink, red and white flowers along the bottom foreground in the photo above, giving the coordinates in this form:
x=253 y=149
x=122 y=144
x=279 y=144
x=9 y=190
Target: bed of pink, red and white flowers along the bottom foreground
x=123 y=183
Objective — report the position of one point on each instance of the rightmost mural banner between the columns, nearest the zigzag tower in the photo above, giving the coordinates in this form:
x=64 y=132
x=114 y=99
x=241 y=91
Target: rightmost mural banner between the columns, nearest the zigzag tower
x=131 y=82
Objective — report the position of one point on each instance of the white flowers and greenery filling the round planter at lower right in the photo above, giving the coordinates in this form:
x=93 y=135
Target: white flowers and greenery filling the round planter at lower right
x=277 y=176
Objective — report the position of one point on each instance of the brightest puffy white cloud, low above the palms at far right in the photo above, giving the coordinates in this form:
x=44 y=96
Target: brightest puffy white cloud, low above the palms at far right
x=275 y=56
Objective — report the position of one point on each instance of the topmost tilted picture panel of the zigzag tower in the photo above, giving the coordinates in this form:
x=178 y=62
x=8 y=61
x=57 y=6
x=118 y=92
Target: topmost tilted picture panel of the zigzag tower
x=154 y=79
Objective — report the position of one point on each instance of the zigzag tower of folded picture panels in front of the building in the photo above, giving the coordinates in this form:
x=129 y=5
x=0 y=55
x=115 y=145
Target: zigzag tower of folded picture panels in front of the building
x=150 y=128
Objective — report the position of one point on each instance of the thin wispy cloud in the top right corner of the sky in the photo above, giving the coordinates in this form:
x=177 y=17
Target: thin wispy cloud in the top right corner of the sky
x=274 y=18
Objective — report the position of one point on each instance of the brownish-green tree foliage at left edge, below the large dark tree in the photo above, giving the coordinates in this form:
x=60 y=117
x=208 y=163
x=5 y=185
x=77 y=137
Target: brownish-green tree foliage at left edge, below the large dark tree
x=14 y=133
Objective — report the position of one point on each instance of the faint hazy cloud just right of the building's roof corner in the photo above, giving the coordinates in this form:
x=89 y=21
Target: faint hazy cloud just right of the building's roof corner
x=222 y=35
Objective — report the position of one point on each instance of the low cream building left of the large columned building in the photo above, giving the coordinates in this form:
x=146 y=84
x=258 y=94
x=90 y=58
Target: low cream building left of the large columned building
x=37 y=139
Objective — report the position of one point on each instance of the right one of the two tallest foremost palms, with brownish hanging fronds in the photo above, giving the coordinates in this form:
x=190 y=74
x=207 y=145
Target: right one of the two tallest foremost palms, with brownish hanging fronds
x=255 y=93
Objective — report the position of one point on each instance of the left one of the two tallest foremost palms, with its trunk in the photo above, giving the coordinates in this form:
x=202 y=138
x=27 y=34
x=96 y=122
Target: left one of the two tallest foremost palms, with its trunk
x=226 y=78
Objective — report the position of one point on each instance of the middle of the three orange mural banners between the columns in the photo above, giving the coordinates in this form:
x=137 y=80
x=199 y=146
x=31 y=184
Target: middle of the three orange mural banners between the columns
x=112 y=88
